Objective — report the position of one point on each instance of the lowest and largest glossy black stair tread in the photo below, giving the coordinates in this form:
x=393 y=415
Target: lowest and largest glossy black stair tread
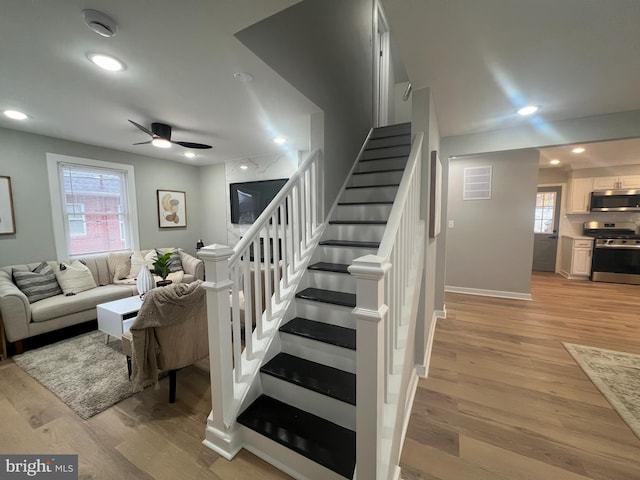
x=326 y=443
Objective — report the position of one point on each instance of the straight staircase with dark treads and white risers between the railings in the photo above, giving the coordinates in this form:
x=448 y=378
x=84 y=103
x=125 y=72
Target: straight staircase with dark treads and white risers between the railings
x=301 y=416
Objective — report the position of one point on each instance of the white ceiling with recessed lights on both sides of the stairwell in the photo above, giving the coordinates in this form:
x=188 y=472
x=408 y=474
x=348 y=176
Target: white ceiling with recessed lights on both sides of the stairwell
x=481 y=58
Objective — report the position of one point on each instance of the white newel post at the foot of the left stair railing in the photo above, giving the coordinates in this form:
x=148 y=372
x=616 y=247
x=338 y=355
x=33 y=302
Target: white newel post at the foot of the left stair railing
x=221 y=433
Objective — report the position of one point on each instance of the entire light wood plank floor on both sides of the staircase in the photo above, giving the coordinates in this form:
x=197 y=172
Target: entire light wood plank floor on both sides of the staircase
x=503 y=400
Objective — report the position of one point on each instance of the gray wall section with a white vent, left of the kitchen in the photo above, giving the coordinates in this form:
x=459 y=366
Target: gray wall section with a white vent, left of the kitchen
x=491 y=244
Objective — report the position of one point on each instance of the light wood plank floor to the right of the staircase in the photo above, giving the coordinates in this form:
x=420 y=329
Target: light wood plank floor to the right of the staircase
x=504 y=399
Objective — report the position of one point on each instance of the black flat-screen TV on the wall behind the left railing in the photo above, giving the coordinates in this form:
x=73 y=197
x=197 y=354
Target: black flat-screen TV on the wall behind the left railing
x=249 y=199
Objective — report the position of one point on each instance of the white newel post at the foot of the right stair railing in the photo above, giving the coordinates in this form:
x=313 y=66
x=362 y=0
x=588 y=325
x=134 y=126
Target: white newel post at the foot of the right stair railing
x=371 y=315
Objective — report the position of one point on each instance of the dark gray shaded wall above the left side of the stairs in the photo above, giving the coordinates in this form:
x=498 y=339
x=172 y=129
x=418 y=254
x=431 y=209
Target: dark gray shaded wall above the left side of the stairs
x=322 y=48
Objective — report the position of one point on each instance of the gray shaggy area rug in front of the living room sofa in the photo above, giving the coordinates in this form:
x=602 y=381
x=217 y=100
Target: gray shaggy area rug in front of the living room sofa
x=84 y=372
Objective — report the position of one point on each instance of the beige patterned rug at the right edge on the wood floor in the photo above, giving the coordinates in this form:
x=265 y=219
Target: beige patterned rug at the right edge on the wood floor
x=617 y=376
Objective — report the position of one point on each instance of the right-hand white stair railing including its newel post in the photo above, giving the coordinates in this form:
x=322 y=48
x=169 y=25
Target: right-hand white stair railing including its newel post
x=387 y=291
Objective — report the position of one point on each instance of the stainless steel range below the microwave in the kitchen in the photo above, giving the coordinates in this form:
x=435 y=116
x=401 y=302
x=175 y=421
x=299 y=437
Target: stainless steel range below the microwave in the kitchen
x=616 y=252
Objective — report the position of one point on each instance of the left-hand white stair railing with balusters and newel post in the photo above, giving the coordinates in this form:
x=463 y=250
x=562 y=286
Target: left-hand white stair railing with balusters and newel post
x=248 y=290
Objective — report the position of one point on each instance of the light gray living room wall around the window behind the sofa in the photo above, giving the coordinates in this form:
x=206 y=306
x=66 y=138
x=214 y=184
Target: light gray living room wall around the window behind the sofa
x=23 y=158
